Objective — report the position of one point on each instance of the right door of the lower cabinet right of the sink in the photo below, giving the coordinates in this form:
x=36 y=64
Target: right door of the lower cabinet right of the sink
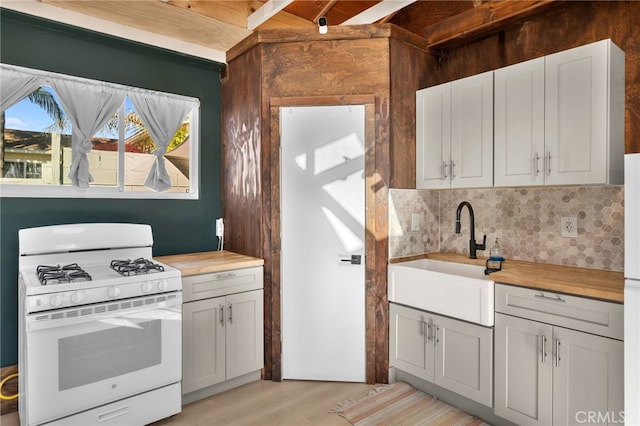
x=588 y=378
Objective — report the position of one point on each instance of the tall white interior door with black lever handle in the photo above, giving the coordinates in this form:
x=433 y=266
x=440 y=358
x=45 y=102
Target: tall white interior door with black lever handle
x=322 y=222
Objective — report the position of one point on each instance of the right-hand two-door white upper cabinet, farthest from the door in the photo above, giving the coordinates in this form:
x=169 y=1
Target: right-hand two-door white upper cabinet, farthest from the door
x=559 y=120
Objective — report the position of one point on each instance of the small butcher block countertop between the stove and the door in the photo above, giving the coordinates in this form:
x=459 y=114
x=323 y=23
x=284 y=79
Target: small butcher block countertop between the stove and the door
x=209 y=261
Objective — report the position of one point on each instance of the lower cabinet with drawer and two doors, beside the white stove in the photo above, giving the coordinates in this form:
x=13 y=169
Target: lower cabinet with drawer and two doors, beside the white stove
x=222 y=336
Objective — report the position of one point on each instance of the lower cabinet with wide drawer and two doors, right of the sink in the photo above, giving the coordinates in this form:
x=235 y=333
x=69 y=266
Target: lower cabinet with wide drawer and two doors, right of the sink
x=552 y=375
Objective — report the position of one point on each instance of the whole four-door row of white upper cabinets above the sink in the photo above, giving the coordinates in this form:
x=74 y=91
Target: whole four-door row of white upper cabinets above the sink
x=555 y=120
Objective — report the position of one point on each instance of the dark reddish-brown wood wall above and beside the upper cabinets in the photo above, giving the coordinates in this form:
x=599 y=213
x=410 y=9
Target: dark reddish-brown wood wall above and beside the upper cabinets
x=564 y=26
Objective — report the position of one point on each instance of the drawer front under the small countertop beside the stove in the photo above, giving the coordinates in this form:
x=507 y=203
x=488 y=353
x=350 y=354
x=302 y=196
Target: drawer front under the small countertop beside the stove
x=203 y=286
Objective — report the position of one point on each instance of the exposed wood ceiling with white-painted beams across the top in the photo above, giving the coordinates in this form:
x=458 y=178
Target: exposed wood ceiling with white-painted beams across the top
x=220 y=25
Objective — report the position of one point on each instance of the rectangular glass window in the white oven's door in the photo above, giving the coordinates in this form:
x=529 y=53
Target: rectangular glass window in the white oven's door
x=91 y=357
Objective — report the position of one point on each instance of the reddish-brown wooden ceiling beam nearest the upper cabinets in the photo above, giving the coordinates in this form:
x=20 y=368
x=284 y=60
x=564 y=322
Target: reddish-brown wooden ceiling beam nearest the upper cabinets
x=484 y=19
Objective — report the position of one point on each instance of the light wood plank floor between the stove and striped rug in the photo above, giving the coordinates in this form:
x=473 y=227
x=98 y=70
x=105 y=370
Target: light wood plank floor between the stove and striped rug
x=264 y=403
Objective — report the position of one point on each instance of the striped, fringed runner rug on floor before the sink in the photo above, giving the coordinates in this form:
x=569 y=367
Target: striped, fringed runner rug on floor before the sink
x=401 y=404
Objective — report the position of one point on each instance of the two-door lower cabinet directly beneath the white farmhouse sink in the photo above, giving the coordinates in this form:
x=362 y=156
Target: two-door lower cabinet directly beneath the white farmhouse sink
x=453 y=354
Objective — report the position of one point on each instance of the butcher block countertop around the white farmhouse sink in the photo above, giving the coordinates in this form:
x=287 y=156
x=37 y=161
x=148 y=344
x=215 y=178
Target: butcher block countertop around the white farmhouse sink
x=595 y=283
